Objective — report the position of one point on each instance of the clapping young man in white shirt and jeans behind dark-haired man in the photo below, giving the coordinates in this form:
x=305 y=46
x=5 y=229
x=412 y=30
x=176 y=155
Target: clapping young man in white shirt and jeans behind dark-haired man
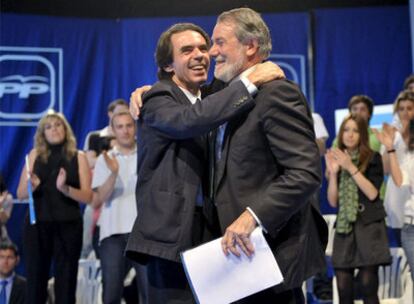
x=114 y=182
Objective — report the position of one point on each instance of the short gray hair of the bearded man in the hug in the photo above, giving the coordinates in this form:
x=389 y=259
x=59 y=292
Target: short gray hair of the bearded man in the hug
x=249 y=25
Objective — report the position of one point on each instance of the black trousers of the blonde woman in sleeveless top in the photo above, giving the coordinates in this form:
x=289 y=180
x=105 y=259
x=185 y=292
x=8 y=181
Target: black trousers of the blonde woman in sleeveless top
x=47 y=242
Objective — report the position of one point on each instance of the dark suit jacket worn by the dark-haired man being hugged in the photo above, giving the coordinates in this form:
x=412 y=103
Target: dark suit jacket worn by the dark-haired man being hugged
x=171 y=163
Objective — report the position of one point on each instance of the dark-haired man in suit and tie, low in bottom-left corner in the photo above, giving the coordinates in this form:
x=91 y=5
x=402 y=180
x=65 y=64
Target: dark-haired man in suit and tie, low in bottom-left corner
x=12 y=286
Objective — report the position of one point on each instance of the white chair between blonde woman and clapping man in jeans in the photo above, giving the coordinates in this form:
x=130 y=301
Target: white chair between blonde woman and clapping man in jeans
x=89 y=285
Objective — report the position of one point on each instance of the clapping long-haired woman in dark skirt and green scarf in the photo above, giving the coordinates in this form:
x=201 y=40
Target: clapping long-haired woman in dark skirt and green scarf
x=355 y=175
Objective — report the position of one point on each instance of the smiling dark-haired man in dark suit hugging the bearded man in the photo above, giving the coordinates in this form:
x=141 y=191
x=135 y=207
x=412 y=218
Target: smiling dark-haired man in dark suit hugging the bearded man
x=172 y=157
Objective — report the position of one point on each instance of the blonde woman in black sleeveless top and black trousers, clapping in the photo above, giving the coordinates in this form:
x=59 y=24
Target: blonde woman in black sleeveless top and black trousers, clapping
x=60 y=179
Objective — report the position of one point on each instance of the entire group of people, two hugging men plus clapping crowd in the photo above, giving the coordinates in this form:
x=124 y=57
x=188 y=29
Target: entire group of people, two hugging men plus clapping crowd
x=207 y=161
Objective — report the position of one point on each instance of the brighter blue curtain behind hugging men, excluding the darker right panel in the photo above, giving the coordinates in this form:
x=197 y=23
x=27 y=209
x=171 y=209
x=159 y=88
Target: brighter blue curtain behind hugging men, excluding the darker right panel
x=77 y=66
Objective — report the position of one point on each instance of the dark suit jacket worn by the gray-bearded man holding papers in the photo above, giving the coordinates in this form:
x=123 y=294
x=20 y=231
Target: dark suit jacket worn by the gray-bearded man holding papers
x=270 y=163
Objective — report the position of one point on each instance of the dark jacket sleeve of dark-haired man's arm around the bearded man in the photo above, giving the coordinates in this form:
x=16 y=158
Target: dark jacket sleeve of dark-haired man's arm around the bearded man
x=179 y=120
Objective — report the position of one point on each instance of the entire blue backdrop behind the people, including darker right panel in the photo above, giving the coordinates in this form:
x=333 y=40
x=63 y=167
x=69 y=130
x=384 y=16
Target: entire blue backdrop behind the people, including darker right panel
x=79 y=65
